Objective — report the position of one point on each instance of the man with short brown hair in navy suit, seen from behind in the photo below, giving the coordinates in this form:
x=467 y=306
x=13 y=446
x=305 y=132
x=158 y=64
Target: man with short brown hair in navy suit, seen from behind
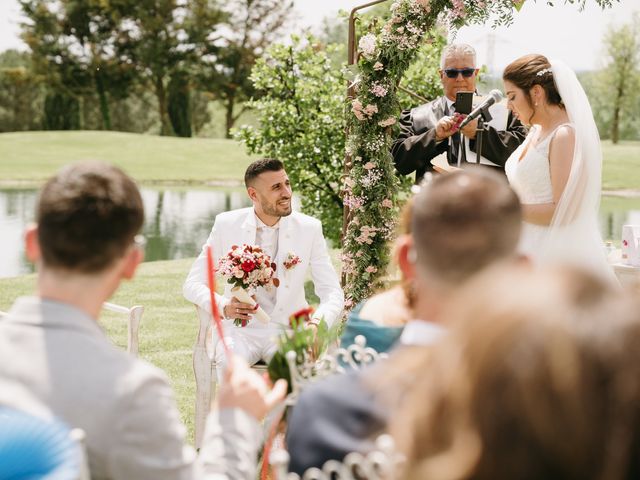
x=462 y=223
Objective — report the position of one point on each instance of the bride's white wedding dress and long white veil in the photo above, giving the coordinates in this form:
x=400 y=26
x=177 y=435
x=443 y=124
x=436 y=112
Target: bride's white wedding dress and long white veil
x=573 y=236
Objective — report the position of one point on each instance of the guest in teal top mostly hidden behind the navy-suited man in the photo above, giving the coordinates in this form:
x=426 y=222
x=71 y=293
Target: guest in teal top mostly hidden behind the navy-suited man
x=381 y=318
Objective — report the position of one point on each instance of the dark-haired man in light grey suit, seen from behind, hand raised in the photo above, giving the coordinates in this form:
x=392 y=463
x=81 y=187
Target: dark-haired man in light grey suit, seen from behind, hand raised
x=56 y=360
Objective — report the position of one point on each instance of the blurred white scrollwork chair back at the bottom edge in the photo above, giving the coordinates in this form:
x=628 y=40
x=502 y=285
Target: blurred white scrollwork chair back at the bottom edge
x=383 y=463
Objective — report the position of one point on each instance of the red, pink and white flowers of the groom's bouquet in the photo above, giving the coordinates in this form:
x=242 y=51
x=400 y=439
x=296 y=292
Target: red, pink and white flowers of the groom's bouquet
x=247 y=266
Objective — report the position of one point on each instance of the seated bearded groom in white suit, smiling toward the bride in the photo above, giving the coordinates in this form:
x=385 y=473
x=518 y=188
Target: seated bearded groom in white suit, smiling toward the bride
x=281 y=233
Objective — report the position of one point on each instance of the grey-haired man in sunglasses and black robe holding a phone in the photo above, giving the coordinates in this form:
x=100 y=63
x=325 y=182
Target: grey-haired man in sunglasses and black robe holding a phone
x=431 y=129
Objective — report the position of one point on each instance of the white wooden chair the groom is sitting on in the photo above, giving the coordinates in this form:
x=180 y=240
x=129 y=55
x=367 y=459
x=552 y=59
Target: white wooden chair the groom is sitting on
x=205 y=370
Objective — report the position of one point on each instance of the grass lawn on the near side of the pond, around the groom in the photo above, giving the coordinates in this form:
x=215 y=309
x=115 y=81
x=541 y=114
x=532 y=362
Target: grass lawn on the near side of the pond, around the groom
x=169 y=324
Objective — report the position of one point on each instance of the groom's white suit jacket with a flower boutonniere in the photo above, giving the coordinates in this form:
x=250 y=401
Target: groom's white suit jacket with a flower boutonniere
x=299 y=234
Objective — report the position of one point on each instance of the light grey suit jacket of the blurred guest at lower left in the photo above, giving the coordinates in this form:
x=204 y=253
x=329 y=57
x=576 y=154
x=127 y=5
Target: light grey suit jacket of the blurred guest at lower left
x=55 y=360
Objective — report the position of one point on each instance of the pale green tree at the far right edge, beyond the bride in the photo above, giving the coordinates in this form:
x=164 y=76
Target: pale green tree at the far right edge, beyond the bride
x=617 y=85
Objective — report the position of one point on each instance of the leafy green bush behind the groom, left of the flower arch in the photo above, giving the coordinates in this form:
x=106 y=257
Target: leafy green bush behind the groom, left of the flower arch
x=301 y=122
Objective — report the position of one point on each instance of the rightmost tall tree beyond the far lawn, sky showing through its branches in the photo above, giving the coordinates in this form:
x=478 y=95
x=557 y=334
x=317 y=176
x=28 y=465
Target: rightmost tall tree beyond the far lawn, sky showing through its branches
x=229 y=54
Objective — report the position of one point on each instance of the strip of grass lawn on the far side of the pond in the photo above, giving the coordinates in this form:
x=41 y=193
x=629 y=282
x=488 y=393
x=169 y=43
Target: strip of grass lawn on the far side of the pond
x=34 y=156
